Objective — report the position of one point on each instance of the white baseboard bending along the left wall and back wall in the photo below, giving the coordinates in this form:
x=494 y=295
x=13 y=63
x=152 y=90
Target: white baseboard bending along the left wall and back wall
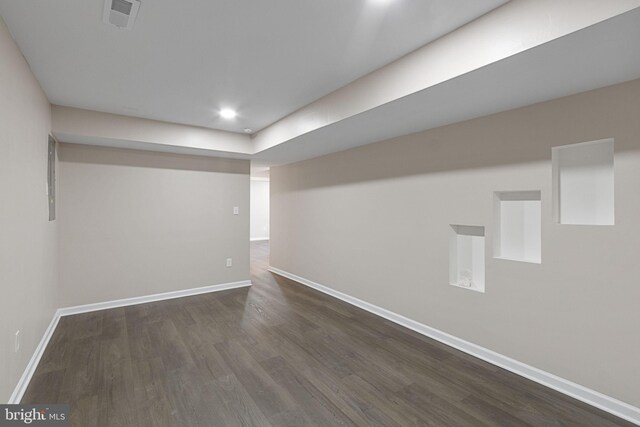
x=25 y=379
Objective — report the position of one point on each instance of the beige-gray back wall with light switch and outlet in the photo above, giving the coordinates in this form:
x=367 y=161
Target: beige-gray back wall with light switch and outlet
x=135 y=223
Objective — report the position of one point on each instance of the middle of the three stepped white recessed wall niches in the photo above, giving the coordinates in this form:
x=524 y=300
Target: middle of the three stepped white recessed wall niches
x=517 y=232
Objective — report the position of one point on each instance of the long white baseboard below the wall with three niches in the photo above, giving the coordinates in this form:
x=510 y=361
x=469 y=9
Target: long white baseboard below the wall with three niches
x=584 y=394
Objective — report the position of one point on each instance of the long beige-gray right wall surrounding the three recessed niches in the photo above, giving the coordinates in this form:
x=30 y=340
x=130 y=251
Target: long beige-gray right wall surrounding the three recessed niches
x=373 y=222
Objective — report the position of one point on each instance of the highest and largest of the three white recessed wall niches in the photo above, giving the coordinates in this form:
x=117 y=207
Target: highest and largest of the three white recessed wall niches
x=583 y=183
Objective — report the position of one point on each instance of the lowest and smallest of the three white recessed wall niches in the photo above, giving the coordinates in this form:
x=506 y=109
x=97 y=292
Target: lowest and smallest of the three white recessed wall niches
x=466 y=257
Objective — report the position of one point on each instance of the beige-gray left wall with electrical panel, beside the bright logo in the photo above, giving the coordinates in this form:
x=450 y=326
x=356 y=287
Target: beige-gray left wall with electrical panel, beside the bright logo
x=27 y=239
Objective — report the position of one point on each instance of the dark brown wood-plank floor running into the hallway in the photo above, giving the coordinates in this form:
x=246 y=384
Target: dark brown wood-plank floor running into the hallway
x=278 y=354
